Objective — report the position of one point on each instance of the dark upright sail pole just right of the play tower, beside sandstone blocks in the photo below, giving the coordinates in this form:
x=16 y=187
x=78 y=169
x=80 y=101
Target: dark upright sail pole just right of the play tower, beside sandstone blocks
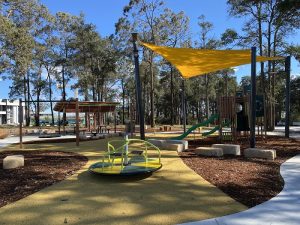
x=253 y=97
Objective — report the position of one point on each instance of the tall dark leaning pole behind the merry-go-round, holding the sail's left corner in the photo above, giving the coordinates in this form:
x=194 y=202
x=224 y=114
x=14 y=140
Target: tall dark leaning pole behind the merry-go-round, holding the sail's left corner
x=138 y=87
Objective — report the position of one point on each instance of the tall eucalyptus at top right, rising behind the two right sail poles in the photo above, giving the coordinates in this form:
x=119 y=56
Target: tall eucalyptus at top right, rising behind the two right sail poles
x=268 y=23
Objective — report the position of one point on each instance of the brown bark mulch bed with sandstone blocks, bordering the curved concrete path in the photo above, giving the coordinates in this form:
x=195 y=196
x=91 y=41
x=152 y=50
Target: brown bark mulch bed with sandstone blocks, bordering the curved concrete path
x=249 y=181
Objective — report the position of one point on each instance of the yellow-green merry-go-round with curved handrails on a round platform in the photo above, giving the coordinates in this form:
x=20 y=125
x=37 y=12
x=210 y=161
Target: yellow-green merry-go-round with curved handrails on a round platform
x=128 y=157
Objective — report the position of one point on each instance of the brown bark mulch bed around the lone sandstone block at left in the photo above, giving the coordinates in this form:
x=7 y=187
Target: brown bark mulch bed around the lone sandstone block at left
x=42 y=169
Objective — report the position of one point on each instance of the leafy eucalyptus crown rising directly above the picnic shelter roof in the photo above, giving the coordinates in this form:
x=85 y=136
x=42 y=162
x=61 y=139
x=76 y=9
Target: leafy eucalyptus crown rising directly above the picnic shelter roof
x=95 y=60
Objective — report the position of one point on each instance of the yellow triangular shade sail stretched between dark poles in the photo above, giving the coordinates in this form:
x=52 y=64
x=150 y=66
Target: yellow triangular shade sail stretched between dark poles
x=195 y=62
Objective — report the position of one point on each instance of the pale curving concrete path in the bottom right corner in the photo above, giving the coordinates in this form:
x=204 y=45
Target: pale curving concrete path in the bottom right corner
x=280 y=210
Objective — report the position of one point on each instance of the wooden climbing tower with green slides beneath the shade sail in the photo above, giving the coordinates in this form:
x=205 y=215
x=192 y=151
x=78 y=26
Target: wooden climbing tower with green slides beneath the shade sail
x=233 y=114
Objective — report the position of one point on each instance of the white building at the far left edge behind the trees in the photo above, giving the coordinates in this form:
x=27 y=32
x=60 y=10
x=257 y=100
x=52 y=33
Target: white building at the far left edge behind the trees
x=9 y=111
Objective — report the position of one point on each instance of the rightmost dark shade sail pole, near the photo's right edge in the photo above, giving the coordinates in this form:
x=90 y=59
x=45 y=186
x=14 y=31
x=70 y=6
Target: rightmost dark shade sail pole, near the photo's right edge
x=287 y=95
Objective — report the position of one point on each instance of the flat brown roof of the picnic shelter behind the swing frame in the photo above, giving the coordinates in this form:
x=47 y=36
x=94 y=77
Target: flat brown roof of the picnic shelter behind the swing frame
x=85 y=106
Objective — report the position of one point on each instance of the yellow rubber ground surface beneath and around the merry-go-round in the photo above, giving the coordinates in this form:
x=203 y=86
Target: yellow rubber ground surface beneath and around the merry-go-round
x=174 y=194
